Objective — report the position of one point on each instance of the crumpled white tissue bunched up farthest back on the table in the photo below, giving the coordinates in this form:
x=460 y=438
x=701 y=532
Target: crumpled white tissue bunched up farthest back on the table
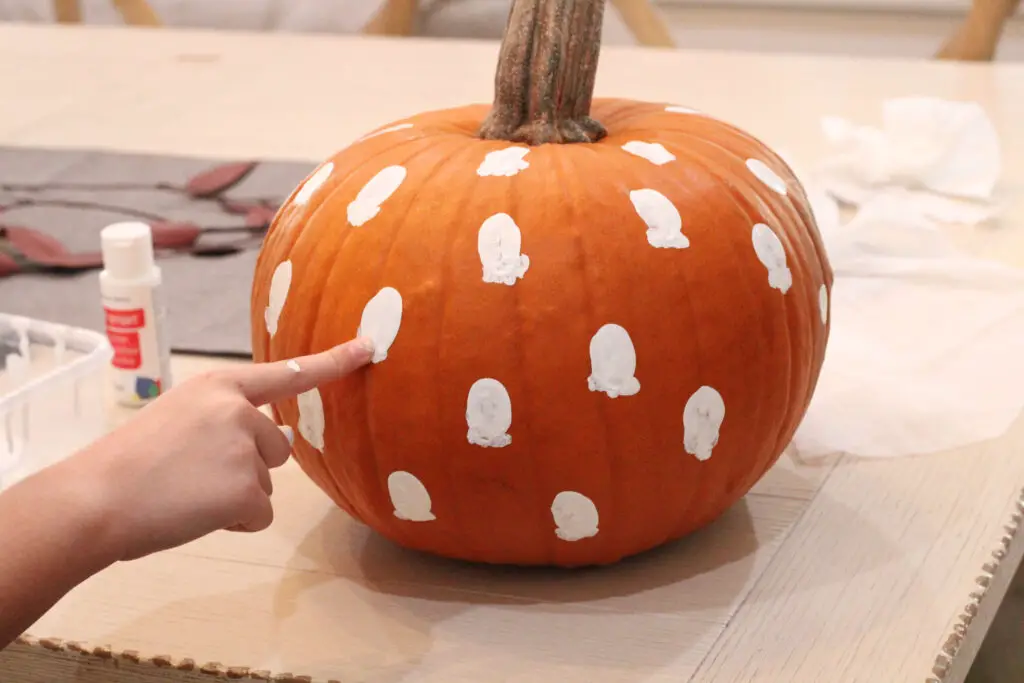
x=941 y=158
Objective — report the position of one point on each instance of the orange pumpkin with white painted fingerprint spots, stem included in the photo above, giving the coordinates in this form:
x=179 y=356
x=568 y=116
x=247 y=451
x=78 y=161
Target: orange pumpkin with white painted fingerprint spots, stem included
x=599 y=324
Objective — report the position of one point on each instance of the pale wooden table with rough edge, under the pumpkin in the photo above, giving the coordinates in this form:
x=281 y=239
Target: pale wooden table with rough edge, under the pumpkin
x=840 y=571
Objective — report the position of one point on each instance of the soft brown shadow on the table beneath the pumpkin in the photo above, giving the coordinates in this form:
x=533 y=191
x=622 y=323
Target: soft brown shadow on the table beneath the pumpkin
x=721 y=557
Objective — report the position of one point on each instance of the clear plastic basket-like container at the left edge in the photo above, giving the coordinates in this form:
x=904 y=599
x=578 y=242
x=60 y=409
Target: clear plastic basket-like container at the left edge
x=53 y=394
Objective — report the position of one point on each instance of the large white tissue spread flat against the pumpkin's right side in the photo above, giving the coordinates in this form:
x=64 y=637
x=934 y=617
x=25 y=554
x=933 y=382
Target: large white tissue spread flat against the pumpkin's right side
x=926 y=350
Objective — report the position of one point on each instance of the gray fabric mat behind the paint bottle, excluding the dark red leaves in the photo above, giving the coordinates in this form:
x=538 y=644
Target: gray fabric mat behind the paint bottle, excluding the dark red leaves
x=207 y=297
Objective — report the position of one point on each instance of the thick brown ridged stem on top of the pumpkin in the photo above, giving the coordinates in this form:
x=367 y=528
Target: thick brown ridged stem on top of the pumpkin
x=546 y=71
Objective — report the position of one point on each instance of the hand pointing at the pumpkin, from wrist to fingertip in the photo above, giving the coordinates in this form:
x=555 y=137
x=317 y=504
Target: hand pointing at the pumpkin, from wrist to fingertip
x=199 y=458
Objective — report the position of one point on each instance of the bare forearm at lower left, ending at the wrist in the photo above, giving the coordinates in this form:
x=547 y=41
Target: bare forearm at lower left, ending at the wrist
x=54 y=535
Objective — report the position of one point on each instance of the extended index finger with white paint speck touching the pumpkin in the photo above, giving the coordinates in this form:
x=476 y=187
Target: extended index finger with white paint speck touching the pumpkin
x=269 y=382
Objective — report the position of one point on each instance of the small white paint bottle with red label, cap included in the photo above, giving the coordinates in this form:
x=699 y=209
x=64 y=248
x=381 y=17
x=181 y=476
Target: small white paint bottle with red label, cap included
x=135 y=314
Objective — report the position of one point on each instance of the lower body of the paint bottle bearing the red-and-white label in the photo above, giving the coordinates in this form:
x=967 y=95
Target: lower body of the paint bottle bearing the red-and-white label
x=135 y=322
